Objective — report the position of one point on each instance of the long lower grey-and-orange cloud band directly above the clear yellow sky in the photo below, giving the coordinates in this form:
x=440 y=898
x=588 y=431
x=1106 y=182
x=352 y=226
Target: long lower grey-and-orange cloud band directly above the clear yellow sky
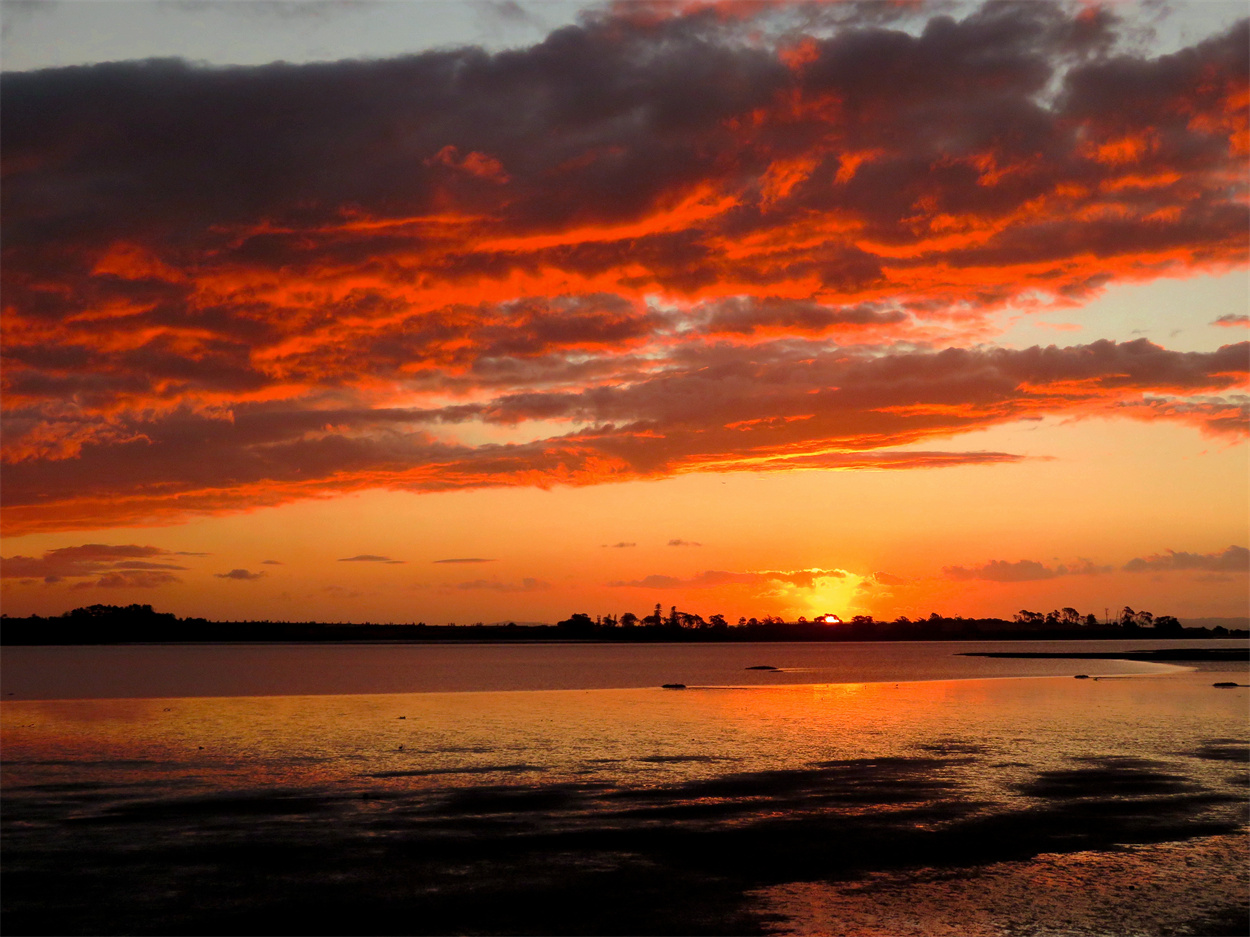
x=773 y=408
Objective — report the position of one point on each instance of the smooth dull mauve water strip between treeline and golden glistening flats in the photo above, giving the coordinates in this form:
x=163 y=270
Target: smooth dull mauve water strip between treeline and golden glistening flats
x=296 y=670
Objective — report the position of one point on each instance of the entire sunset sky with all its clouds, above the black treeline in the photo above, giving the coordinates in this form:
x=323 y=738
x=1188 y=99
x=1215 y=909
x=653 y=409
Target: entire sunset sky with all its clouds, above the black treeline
x=489 y=312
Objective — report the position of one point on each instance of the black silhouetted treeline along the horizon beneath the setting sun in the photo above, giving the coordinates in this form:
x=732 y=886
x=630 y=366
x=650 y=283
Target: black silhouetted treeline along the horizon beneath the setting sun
x=134 y=624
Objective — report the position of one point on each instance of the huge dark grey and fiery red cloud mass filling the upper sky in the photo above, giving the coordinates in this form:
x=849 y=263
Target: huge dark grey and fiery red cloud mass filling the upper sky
x=728 y=240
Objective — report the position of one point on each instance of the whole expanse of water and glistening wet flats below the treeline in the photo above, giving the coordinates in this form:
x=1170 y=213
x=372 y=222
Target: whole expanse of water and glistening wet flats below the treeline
x=851 y=789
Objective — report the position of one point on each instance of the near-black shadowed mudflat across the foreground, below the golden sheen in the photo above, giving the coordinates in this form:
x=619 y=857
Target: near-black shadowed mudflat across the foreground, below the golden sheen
x=571 y=859
